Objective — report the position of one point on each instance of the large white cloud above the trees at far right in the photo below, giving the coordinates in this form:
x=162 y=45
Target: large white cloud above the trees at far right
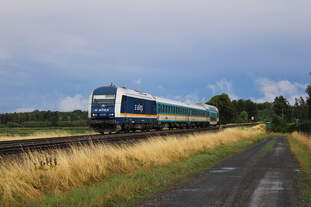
x=271 y=89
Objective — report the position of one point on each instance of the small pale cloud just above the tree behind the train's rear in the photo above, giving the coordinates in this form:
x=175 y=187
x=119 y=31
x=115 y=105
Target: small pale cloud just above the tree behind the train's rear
x=223 y=86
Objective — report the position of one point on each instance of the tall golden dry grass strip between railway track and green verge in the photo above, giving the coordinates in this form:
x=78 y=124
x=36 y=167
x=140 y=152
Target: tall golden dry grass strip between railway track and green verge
x=29 y=178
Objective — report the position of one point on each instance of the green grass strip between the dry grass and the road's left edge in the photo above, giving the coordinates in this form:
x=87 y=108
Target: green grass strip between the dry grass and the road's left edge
x=128 y=190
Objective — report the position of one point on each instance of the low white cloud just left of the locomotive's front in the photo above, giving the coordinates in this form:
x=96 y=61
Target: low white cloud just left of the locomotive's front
x=76 y=102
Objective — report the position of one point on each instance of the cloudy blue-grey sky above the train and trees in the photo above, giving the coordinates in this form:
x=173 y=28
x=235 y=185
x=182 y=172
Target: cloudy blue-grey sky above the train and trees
x=54 y=53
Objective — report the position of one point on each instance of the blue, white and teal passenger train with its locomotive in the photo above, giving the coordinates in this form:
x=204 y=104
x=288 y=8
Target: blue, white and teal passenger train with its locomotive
x=115 y=108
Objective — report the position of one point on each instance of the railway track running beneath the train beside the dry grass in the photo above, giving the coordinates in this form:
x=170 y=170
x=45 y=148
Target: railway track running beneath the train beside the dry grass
x=19 y=146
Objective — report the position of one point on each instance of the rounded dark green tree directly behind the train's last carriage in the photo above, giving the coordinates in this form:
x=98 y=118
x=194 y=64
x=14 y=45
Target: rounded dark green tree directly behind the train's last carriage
x=225 y=107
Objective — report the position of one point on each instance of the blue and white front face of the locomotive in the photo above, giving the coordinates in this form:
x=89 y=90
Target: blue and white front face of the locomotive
x=102 y=108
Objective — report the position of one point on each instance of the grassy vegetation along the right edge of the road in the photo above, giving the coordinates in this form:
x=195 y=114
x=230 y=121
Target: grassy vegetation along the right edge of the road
x=301 y=146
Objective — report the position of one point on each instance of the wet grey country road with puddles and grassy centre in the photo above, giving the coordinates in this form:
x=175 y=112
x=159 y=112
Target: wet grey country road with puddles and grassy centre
x=264 y=175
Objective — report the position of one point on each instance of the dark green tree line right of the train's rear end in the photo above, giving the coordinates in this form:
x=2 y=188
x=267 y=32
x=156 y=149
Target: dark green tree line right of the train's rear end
x=283 y=115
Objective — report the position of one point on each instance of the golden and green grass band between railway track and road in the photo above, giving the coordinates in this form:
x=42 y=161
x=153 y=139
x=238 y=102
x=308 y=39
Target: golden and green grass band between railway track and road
x=102 y=175
